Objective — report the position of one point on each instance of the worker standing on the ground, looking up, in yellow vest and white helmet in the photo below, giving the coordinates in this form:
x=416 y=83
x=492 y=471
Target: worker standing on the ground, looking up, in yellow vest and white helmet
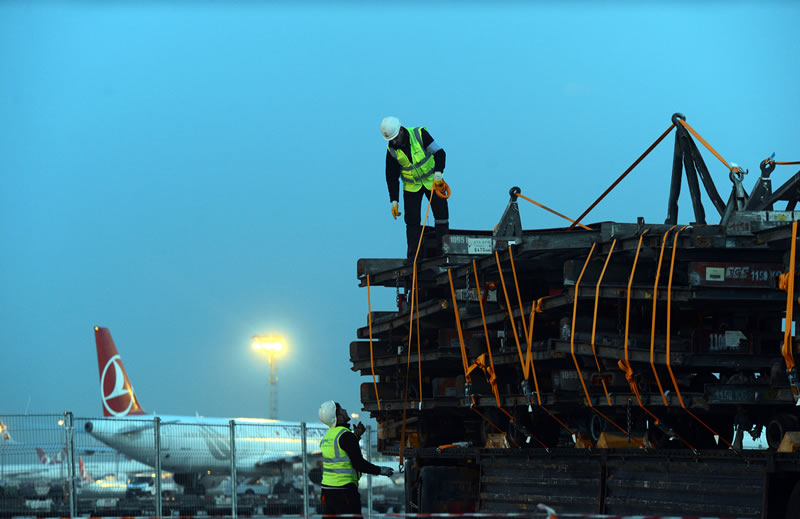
x=342 y=463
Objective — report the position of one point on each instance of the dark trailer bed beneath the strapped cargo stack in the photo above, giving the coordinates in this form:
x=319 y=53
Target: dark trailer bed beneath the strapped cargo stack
x=751 y=484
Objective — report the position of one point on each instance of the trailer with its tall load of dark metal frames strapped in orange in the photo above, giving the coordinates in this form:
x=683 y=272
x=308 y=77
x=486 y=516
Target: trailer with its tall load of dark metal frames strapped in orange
x=668 y=340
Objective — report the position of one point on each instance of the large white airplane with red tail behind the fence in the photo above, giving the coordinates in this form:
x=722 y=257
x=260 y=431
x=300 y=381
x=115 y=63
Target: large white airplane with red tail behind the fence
x=195 y=449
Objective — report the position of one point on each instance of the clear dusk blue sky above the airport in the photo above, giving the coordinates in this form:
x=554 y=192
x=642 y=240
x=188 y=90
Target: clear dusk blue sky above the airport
x=190 y=174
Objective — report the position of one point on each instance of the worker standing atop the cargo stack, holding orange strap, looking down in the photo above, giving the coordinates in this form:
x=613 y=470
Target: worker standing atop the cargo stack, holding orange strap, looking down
x=414 y=158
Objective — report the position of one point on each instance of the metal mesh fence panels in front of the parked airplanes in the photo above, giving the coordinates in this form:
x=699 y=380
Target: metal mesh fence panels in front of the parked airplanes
x=60 y=465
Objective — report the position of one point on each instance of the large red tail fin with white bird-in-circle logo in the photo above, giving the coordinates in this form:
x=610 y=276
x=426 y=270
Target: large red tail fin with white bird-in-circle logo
x=117 y=393
